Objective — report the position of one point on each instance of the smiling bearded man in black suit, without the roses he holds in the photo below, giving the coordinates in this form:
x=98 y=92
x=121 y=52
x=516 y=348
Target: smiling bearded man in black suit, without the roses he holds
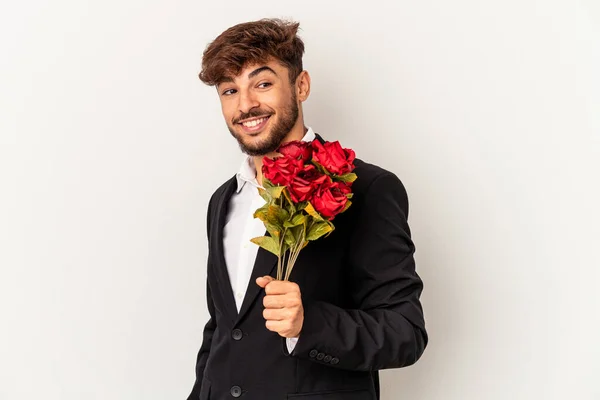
x=351 y=306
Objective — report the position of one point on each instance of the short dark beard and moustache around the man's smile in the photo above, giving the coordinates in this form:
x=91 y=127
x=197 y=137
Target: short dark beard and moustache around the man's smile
x=285 y=122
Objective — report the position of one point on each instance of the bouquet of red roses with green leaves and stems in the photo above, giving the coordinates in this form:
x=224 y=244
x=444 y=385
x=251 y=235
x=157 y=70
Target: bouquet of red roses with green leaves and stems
x=304 y=189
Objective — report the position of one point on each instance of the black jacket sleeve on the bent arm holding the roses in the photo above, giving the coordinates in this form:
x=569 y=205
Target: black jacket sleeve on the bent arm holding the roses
x=387 y=328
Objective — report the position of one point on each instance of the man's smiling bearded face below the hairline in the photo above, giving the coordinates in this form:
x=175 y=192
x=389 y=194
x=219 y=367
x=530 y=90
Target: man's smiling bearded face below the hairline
x=260 y=107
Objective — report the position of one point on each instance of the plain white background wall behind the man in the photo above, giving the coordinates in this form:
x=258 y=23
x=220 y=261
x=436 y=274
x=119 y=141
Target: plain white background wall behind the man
x=110 y=147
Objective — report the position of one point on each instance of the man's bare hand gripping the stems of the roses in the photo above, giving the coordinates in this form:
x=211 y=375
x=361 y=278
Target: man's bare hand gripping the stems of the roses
x=283 y=306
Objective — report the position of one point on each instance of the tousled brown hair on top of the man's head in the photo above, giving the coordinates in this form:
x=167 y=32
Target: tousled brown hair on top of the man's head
x=252 y=43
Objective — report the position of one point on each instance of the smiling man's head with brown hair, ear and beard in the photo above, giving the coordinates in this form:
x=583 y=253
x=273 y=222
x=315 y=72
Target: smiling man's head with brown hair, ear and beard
x=257 y=70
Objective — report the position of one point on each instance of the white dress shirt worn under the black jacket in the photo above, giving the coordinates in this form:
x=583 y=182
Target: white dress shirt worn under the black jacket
x=241 y=226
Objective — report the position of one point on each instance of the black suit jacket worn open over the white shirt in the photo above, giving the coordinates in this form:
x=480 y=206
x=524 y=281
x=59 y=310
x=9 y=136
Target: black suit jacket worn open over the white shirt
x=360 y=293
